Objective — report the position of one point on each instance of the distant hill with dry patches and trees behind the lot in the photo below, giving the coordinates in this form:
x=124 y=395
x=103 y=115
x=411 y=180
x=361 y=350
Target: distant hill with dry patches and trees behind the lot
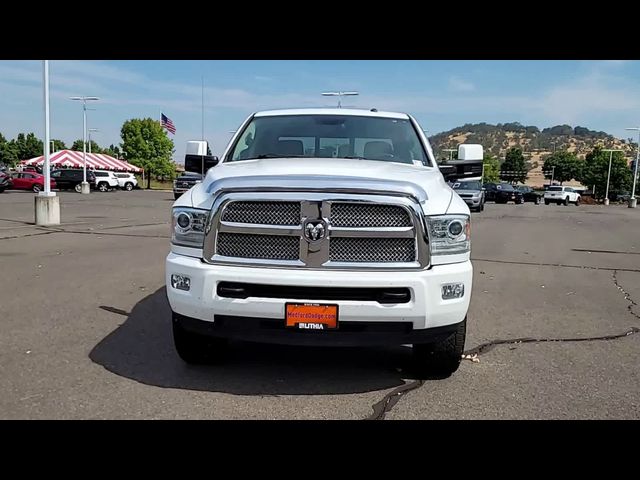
x=536 y=144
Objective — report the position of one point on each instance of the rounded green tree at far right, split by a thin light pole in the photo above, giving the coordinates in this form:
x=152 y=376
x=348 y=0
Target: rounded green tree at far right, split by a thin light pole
x=595 y=169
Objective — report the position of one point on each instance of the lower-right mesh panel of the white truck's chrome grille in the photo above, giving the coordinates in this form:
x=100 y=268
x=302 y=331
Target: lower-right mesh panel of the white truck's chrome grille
x=372 y=250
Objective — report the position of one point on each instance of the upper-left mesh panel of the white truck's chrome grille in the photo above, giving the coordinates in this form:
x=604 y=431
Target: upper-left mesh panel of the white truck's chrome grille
x=263 y=213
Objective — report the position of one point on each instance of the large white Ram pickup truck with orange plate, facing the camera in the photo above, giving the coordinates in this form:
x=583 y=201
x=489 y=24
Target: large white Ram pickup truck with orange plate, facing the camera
x=322 y=227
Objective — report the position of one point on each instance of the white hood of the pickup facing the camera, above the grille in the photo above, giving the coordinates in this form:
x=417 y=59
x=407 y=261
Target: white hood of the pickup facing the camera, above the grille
x=424 y=184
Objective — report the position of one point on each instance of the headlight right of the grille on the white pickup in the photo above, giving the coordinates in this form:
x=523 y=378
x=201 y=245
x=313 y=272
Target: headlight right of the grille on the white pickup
x=449 y=234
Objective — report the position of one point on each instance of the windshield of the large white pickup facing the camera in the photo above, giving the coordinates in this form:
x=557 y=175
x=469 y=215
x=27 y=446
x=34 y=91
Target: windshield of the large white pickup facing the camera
x=333 y=136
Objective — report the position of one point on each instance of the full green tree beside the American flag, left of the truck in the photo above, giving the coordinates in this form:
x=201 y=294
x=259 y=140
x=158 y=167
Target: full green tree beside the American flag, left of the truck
x=146 y=145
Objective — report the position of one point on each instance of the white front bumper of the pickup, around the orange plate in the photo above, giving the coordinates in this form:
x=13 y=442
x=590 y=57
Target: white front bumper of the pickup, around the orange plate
x=361 y=322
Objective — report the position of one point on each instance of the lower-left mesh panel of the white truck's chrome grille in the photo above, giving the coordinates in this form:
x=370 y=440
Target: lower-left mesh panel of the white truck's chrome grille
x=268 y=247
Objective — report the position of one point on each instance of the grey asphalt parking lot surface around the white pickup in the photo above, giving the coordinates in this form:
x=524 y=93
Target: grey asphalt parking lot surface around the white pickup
x=85 y=326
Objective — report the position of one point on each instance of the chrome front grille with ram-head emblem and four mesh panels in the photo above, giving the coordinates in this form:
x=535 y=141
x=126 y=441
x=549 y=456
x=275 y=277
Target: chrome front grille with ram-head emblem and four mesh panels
x=362 y=231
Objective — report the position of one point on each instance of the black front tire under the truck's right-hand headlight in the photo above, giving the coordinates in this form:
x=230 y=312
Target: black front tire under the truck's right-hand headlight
x=441 y=359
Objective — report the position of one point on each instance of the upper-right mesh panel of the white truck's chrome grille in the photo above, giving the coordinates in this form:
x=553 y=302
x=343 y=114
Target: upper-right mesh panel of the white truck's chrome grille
x=368 y=215
